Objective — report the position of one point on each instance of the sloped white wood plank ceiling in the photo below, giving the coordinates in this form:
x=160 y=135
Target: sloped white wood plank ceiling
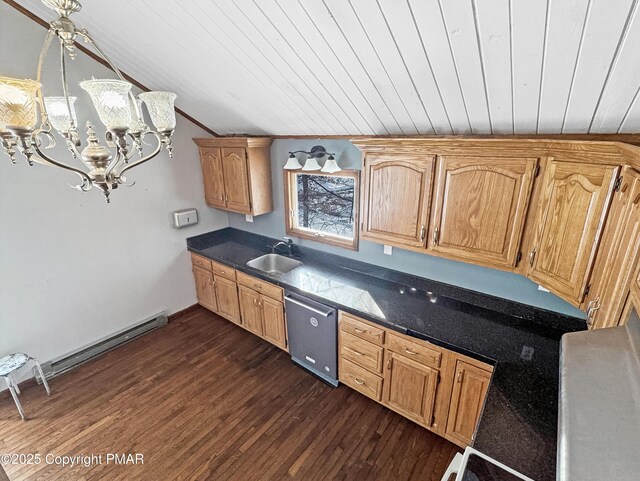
x=349 y=67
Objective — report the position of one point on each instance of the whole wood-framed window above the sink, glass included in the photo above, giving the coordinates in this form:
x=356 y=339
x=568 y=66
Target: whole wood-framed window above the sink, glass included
x=323 y=207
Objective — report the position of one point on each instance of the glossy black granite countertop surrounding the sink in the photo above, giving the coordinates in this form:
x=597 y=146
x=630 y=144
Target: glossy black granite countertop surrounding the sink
x=519 y=424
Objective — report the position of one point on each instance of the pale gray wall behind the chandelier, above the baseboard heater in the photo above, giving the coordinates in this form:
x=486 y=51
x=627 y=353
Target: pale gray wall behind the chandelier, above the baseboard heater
x=73 y=269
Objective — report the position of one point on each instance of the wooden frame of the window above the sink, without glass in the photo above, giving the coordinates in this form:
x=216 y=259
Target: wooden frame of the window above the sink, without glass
x=290 y=200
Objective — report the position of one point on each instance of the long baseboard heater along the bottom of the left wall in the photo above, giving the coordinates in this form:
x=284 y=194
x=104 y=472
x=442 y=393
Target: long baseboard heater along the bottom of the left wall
x=67 y=362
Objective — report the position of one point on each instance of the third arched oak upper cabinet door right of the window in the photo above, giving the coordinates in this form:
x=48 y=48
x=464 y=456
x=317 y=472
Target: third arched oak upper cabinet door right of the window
x=573 y=206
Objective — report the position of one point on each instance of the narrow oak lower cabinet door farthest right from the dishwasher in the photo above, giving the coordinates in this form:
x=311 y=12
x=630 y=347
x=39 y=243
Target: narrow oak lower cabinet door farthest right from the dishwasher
x=469 y=391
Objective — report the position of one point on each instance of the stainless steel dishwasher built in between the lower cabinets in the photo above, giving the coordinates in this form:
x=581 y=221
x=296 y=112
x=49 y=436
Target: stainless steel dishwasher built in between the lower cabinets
x=312 y=330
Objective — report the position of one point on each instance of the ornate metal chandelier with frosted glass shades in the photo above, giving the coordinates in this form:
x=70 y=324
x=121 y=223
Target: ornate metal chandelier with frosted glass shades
x=103 y=167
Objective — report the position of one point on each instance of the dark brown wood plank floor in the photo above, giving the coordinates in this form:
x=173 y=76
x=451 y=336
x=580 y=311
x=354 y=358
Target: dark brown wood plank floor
x=204 y=399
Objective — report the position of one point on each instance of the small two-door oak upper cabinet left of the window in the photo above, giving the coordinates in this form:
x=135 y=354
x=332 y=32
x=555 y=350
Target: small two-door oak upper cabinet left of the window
x=237 y=173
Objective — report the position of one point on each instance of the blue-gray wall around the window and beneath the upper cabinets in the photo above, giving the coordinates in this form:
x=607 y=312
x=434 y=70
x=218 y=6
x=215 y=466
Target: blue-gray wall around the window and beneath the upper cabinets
x=490 y=281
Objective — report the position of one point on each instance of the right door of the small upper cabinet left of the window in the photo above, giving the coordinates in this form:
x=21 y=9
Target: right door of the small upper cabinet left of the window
x=236 y=179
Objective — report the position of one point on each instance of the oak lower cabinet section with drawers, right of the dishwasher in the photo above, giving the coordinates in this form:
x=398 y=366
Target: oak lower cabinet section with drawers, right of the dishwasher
x=413 y=378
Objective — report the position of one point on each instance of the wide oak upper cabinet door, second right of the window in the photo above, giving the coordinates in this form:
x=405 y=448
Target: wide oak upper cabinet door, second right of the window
x=480 y=206
